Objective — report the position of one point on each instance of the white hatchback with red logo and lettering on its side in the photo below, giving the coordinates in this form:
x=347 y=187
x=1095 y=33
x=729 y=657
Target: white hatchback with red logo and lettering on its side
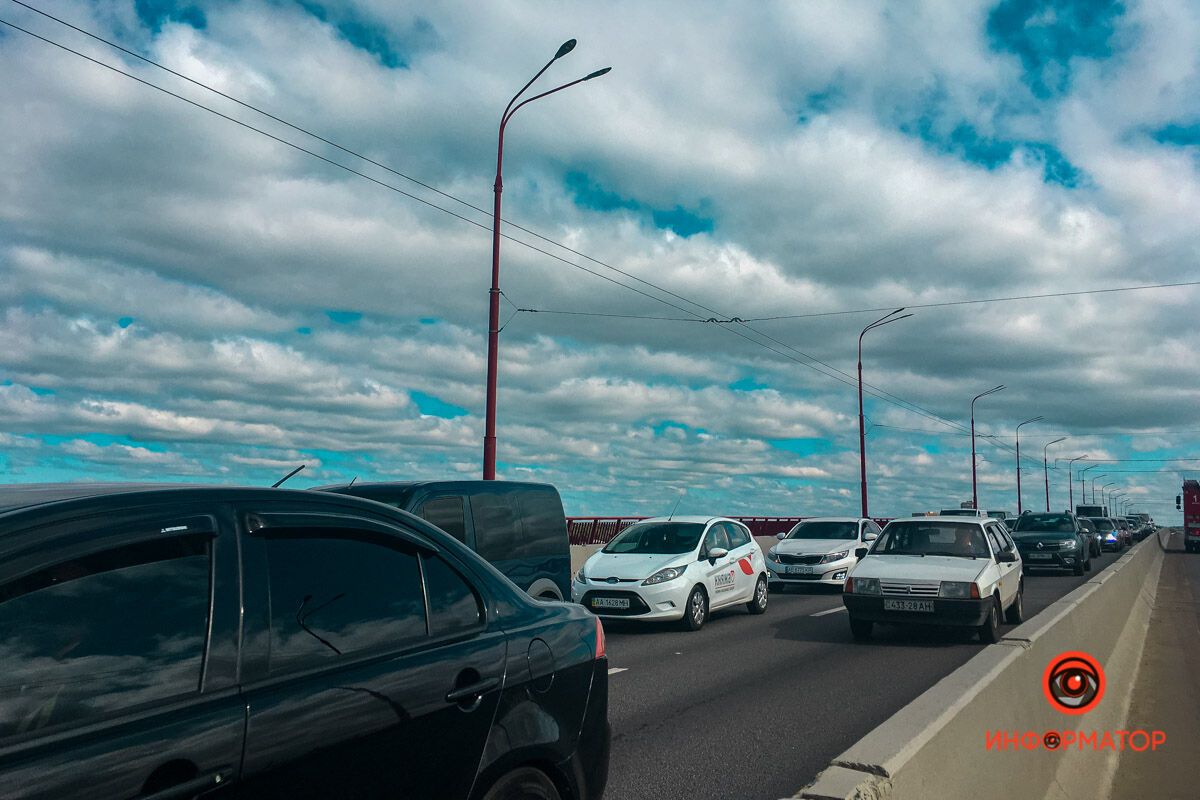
x=675 y=569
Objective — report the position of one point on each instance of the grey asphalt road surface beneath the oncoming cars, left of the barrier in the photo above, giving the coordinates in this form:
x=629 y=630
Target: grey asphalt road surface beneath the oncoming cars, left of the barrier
x=755 y=707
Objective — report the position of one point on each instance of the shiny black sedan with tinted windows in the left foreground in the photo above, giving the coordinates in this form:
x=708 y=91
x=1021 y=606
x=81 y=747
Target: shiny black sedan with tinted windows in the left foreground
x=266 y=643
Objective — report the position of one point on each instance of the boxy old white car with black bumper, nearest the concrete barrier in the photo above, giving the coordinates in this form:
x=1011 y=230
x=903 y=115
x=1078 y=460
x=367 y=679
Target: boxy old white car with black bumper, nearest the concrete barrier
x=938 y=572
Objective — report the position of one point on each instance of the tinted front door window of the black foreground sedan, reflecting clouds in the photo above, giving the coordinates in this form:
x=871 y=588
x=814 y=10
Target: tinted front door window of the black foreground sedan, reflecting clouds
x=104 y=634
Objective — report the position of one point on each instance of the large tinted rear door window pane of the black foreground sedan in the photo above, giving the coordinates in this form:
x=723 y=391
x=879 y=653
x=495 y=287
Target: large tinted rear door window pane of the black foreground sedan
x=335 y=594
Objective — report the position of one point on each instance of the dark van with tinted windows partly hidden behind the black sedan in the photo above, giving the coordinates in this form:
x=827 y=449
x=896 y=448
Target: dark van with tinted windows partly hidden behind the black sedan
x=519 y=527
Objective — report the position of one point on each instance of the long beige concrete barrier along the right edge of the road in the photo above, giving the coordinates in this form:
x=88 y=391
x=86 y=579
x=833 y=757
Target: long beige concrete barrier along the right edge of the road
x=935 y=747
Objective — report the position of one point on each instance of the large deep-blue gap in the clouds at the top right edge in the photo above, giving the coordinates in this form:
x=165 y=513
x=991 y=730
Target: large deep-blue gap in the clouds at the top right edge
x=1046 y=35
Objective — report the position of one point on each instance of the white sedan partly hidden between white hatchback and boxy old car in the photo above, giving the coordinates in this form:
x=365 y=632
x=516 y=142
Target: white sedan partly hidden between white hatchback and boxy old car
x=819 y=551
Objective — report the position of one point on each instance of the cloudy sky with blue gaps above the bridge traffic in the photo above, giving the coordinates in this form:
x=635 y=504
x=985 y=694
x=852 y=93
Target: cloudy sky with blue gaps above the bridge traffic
x=188 y=299
